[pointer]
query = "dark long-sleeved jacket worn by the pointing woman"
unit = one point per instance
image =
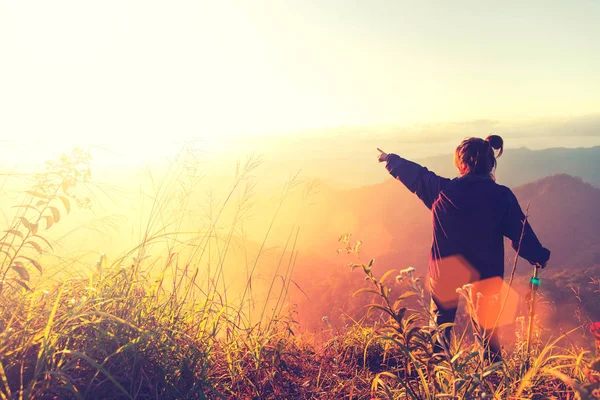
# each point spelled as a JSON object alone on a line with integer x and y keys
{"x": 471, "y": 215}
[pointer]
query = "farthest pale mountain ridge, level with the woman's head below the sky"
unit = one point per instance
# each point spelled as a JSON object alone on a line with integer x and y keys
{"x": 356, "y": 166}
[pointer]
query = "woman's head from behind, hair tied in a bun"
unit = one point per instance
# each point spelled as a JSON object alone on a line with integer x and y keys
{"x": 476, "y": 156}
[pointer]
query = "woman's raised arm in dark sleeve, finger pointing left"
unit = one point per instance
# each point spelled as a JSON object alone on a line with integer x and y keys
{"x": 419, "y": 180}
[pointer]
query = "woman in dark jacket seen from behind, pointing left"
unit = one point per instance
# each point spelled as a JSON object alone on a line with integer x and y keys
{"x": 471, "y": 216}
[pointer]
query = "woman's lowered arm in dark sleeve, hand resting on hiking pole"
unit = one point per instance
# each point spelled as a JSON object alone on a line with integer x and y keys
{"x": 522, "y": 237}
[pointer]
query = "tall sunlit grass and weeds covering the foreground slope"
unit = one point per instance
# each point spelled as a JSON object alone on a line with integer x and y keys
{"x": 154, "y": 322}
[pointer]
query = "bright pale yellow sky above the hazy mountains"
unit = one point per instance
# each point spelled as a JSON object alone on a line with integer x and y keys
{"x": 137, "y": 79}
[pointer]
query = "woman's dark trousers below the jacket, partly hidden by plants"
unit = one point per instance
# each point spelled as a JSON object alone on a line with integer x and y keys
{"x": 446, "y": 312}
